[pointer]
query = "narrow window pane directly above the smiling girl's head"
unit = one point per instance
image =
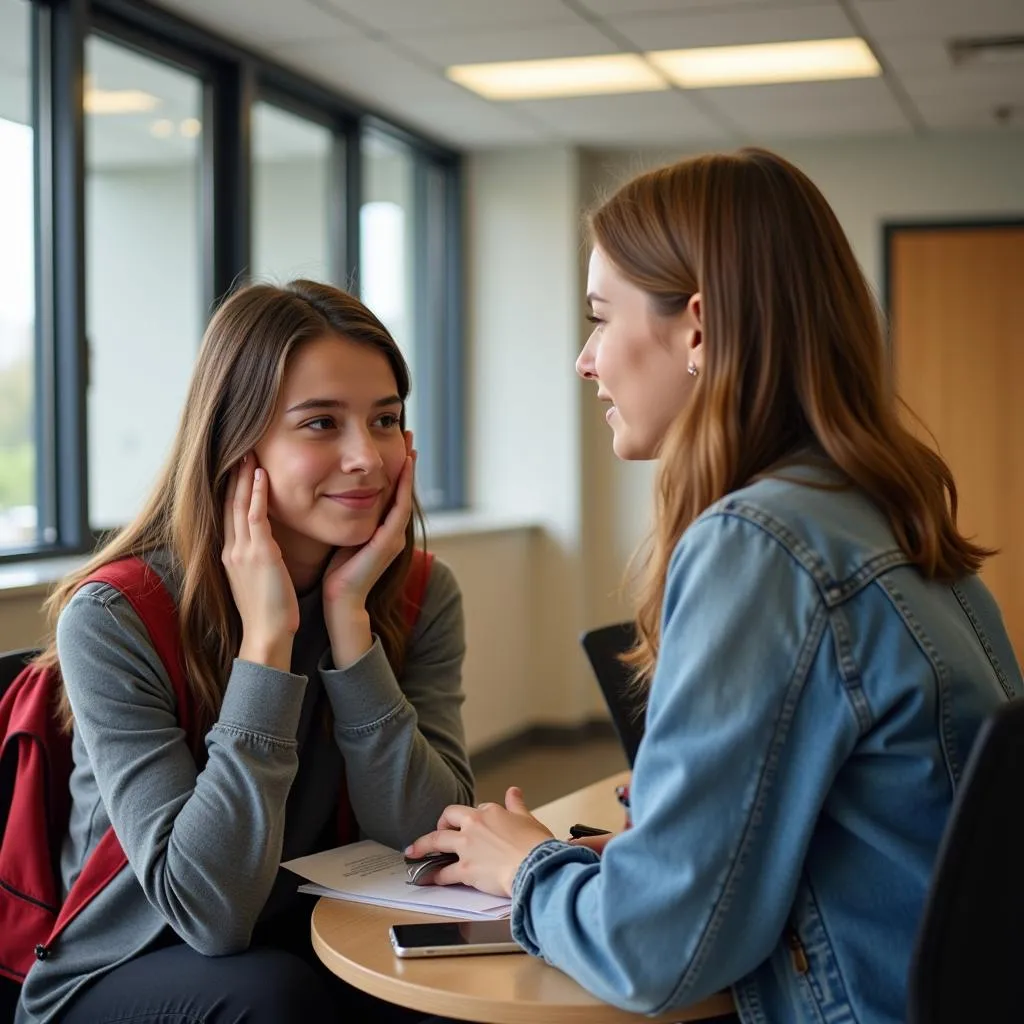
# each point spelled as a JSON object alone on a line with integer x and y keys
{"x": 294, "y": 197}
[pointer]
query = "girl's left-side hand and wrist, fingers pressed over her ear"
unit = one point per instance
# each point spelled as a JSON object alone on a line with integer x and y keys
{"x": 261, "y": 584}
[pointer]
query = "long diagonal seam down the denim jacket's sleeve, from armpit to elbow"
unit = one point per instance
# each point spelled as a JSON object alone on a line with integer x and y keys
{"x": 770, "y": 767}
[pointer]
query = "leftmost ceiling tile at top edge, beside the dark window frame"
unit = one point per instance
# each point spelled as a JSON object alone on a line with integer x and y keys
{"x": 265, "y": 22}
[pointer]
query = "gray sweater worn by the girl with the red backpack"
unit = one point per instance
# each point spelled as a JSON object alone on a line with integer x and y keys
{"x": 204, "y": 848}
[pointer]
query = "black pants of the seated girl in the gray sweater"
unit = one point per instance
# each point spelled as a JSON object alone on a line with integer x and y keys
{"x": 277, "y": 982}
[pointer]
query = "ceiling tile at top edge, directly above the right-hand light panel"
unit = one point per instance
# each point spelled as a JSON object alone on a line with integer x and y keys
{"x": 666, "y": 32}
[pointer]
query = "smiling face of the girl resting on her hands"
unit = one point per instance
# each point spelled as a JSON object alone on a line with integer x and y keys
{"x": 334, "y": 450}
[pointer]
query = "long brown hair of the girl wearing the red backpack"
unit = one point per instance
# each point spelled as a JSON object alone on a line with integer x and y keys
{"x": 231, "y": 404}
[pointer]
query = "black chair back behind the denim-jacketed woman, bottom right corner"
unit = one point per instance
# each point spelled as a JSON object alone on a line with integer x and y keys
{"x": 971, "y": 942}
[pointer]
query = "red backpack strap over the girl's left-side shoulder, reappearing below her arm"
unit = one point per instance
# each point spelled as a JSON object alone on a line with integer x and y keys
{"x": 146, "y": 592}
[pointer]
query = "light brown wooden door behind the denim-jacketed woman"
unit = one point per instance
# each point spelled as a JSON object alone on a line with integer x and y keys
{"x": 957, "y": 298}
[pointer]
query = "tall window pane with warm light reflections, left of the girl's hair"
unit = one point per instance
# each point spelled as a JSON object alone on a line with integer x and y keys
{"x": 144, "y": 267}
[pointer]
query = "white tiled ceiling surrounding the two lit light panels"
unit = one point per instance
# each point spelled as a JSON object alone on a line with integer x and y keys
{"x": 393, "y": 56}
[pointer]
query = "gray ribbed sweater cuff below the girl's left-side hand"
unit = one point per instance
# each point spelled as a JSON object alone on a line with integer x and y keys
{"x": 263, "y": 700}
